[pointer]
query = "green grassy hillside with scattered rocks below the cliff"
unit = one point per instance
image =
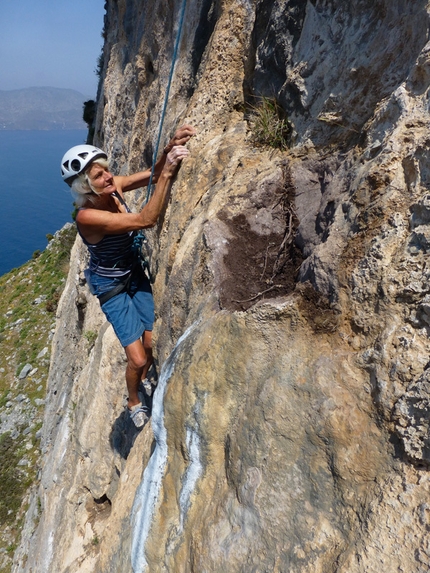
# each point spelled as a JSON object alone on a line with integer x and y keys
{"x": 30, "y": 295}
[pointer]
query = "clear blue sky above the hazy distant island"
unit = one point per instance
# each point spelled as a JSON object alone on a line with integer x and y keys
{"x": 53, "y": 43}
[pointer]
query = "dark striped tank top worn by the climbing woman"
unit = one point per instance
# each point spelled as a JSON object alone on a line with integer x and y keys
{"x": 113, "y": 255}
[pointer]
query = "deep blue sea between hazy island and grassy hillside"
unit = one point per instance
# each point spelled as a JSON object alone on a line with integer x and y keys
{"x": 35, "y": 201}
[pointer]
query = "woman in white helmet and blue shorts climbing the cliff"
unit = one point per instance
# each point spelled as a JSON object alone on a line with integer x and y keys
{"x": 108, "y": 229}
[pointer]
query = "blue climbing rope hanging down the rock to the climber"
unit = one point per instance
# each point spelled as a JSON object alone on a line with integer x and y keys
{"x": 140, "y": 238}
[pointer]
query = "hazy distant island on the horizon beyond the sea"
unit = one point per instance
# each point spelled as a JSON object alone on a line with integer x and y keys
{"x": 41, "y": 108}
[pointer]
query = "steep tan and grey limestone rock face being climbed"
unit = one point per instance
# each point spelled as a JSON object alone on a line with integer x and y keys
{"x": 290, "y": 425}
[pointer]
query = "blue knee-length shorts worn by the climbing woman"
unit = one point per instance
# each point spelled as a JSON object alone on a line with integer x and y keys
{"x": 130, "y": 313}
